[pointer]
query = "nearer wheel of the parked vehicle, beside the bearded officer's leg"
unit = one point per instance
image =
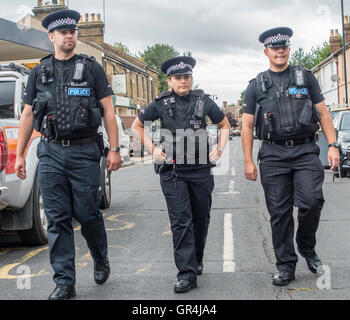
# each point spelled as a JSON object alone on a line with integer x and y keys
{"x": 37, "y": 235}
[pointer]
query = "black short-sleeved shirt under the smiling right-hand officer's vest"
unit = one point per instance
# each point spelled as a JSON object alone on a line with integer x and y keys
{"x": 282, "y": 78}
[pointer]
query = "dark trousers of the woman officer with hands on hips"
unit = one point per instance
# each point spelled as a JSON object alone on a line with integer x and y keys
{"x": 189, "y": 201}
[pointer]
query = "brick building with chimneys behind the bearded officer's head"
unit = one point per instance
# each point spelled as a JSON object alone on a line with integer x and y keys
{"x": 134, "y": 83}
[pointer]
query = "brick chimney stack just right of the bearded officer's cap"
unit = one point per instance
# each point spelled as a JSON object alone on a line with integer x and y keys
{"x": 92, "y": 30}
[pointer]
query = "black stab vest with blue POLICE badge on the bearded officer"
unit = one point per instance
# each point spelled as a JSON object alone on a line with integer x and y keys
{"x": 71, "y": 103}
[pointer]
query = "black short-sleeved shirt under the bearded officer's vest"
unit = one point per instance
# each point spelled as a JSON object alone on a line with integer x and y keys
{"x": 102, "y": 86}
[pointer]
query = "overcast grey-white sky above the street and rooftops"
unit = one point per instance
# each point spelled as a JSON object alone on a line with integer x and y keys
{"x": 221, "y": 34}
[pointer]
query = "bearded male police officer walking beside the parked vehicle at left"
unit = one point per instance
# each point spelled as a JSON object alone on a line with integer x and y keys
{"x": 66, "y": 96}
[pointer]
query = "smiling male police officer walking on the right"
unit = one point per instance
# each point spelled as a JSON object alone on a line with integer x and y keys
{"x": 286, "y": 104}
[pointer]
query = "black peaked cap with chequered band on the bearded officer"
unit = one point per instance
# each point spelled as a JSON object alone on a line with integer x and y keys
{"x": 61, "y": 20}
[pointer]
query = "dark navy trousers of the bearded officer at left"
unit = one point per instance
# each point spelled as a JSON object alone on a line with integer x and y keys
{"x": 69, "y": 181}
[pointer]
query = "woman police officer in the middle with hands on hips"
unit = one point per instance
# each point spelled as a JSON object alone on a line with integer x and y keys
{"x": 184, "y": 163}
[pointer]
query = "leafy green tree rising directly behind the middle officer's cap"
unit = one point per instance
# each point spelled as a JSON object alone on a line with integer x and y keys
{"x": 155, "y": 55}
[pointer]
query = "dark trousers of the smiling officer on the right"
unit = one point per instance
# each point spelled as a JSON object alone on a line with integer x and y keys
{"x": 292, "y": 176}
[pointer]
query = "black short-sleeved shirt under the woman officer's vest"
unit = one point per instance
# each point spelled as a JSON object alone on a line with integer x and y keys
{"x": 153, "y": 111}
